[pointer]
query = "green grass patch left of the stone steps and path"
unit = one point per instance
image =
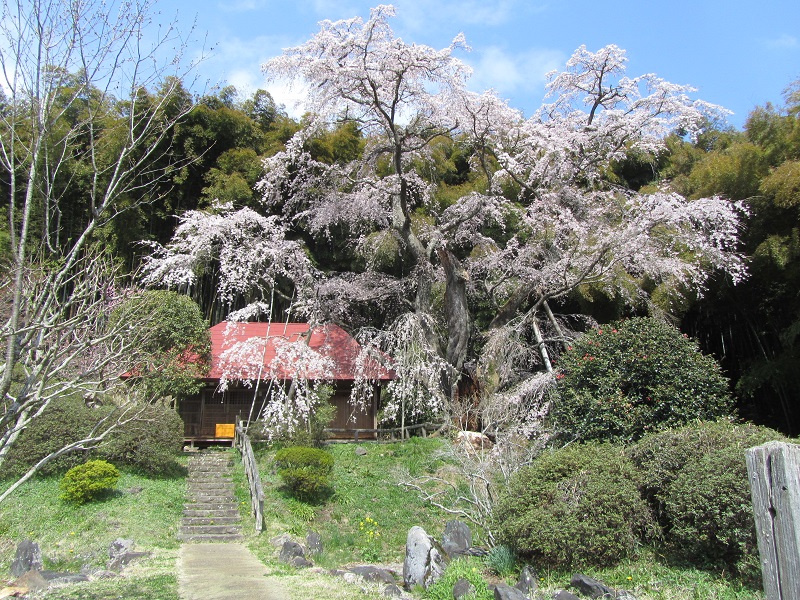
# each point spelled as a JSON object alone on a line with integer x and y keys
{"x": 71, "y": 537}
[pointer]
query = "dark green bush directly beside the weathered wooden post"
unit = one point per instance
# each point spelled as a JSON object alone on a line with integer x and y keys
{"x": 695, "y": 479}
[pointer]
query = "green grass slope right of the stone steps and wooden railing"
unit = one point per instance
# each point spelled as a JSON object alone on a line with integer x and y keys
{"x": 366, "y": 497}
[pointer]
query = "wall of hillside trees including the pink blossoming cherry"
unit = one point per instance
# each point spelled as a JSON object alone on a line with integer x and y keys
{"x": 439, "y": 224}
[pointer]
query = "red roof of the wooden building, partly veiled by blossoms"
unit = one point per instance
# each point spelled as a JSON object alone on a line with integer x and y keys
{"x": 286, "y": 351}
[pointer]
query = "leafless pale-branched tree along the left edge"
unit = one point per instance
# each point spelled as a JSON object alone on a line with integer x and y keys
{"x": 90, "y": 95}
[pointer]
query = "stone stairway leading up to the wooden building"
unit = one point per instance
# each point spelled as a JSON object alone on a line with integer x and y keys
{"x": 210, "y": 513}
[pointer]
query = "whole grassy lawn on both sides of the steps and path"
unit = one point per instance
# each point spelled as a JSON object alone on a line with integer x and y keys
{"x": 366, "y": 496}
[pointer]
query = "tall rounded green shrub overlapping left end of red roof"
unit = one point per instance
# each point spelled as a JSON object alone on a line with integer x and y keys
{"x": 175, "y": 350}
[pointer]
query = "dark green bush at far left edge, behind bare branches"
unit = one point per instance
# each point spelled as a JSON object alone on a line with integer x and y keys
{"x": 66, "y": 420}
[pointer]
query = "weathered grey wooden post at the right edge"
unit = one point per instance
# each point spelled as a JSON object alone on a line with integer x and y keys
{"x": 774, "y": 473}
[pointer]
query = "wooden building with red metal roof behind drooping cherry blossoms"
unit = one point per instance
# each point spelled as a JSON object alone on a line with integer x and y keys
{"x": 261, "y": 353}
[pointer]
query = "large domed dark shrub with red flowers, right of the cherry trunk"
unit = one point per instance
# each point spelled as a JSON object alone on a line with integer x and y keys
{"x": 623, "y": 380}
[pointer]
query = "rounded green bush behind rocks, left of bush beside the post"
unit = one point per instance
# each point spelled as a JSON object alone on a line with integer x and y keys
{"x": 574, "y": 507}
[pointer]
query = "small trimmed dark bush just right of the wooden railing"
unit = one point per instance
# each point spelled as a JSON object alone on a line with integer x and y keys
{"x": 305, "y": 471}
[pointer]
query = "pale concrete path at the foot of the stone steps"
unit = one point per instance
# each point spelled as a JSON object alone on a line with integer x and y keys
{"x": 228, "y": 571}
